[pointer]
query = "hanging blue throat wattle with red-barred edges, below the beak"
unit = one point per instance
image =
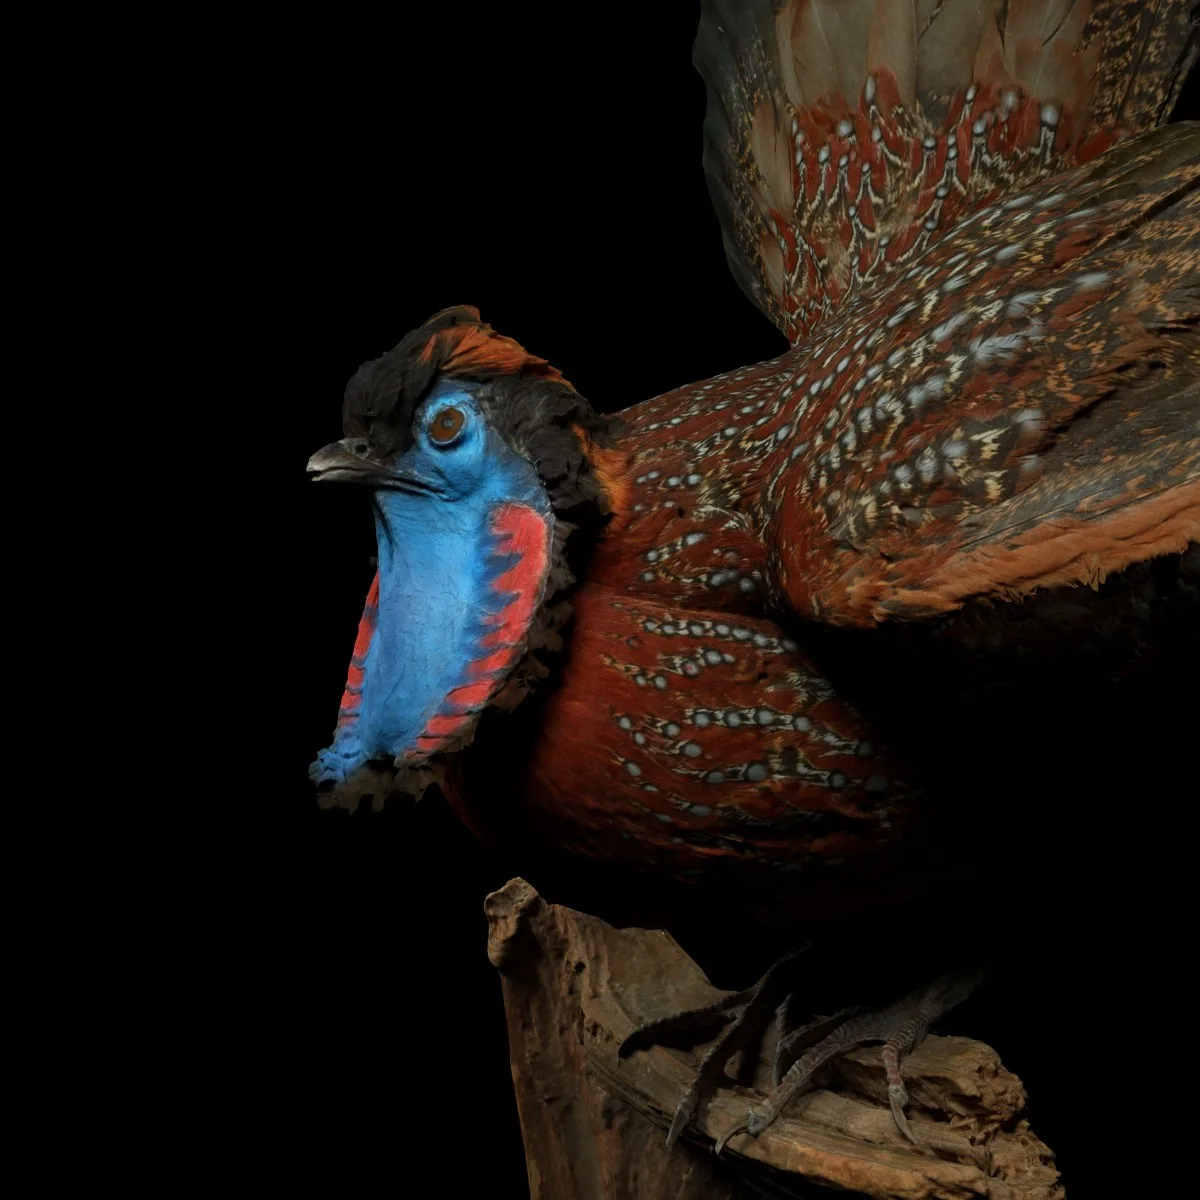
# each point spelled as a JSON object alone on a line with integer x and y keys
{"x": 443, "y": 626}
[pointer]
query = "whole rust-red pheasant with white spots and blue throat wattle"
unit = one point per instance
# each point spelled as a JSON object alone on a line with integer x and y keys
{"x": 795, "y": 639}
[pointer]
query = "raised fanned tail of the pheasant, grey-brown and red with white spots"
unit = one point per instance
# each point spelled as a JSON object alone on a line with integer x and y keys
{"x": 844, "y": 137}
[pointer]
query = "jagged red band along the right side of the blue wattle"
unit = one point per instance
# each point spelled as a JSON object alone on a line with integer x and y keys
{"x": 526, "y": 535}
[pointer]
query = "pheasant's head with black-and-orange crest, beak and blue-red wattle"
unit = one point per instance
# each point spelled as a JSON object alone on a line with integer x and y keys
{"x": 477, "y": 455}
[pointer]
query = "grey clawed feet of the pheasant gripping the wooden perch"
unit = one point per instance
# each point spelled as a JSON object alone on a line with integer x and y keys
{"x": 802, "y": 1048}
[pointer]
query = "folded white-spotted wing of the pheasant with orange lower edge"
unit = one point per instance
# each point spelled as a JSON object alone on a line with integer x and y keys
{"x": 1019, "y": 410}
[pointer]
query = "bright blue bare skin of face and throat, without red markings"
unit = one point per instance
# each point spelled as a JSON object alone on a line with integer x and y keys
{"x": 437, "y": 563}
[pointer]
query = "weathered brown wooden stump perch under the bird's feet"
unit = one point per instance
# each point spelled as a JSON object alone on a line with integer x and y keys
{"x": 595, "y": 1126}
